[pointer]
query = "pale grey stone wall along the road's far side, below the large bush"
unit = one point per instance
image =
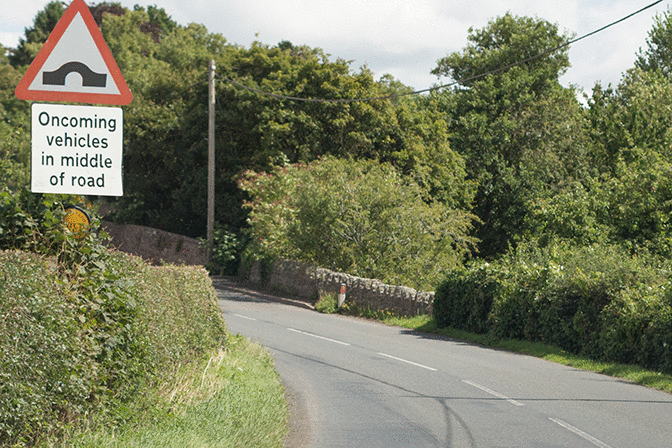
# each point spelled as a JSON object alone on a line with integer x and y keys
{"x": 309, "y": 281}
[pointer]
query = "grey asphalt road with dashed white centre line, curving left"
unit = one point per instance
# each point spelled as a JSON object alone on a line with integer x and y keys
{"x": 356, "y": 383}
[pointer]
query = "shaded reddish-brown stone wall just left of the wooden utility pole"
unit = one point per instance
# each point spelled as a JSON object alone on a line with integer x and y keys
{"x": 155, "y": 245}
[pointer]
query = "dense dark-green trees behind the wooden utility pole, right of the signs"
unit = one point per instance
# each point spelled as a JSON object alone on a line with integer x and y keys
{"x": 166, "y": 125}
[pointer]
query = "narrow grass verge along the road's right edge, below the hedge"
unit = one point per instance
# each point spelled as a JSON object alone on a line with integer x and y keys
{"x": 427, "y": 324}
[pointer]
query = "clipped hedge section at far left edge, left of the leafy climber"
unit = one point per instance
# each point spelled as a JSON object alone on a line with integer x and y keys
{"x": 46, "y": 372}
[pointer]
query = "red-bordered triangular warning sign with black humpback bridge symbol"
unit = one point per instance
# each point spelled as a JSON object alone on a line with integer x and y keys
{"x": 75, "y": 65}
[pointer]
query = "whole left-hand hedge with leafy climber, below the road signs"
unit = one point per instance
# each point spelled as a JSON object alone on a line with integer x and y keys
{"x": 90, "y": 325}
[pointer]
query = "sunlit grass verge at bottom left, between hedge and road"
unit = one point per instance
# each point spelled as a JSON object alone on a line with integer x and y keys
{"x": 233, "y": 398}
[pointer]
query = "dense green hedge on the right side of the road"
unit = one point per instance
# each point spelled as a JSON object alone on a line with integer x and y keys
{"x": 597, "y": 301}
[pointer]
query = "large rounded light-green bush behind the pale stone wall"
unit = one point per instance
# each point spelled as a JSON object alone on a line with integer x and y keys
{"x": 359, "y": 217}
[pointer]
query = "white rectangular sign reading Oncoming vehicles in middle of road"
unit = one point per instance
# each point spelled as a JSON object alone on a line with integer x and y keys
{"x": 77, "y": 149}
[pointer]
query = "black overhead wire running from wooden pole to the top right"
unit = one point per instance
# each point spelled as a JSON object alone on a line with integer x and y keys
{"x": 442, "y": 86}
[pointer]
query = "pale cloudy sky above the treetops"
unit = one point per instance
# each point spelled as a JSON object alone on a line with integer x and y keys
{"x": 404, "y": 38}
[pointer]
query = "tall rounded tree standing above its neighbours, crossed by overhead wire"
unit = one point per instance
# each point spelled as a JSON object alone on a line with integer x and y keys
{"x": 522, "y": 134}
